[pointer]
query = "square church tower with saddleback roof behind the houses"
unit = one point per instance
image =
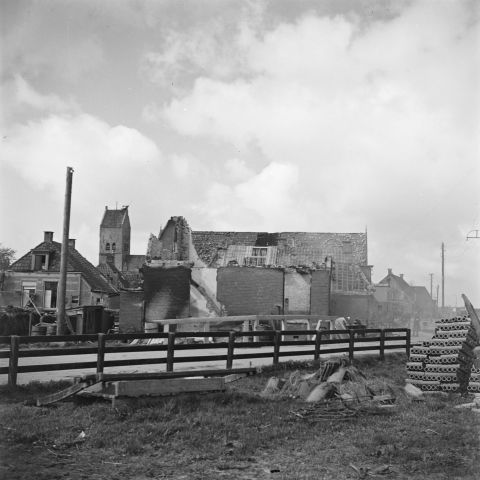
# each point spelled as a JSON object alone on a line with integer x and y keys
{"x": 115, "y": 238}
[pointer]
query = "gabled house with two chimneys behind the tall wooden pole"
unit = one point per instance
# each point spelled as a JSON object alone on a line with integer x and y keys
{"x": 32, "y": 281}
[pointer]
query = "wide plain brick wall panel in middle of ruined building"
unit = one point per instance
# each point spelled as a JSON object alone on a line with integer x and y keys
{"x": 249, "y": 290}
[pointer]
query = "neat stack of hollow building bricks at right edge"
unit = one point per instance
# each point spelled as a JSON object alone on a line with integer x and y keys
{"x": 444, "y": 363}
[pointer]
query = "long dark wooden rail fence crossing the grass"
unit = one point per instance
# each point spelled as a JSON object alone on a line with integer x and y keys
{"x": 229, "y": 349}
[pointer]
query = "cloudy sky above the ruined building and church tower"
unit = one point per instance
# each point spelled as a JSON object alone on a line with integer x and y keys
{"x": 327, "y": 115}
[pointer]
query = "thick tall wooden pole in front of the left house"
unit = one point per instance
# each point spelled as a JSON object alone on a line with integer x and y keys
{"x": 62, "y": 287}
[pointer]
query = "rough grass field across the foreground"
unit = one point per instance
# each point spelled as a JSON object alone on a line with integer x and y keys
{"x": 237, "y": 435}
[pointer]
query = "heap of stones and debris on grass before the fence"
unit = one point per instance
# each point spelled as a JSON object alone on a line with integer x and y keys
{"x": 336, "y": 390}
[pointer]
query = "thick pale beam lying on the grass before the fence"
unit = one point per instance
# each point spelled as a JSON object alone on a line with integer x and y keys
{"x": 138, "y": 388}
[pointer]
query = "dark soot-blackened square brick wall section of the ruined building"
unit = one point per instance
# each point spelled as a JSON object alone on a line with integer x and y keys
{"x": 167, "y": 292}
